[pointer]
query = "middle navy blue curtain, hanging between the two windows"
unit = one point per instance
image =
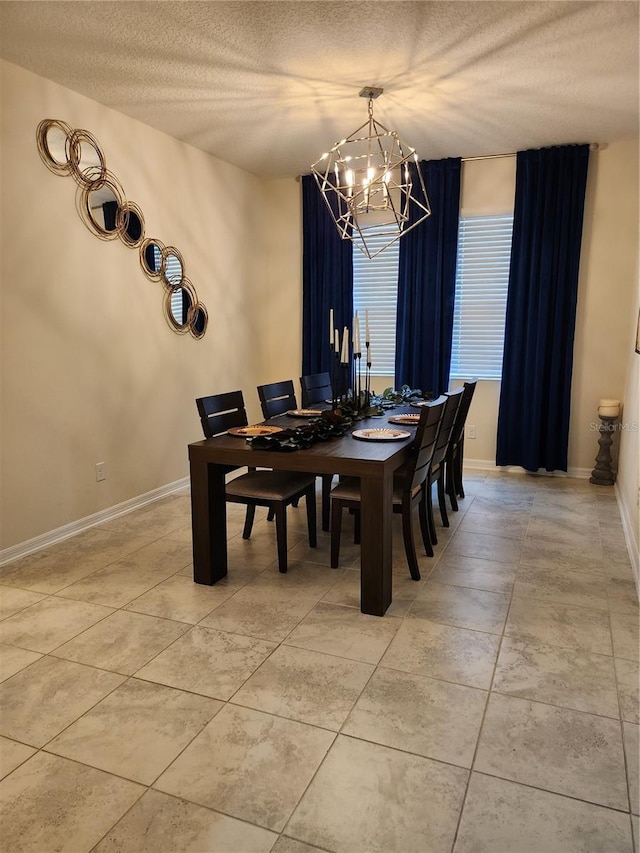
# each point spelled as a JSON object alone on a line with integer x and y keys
{"x": 426, "y": 283}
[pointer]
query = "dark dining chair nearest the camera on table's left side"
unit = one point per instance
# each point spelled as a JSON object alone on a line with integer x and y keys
{"x": 275, "y": 490}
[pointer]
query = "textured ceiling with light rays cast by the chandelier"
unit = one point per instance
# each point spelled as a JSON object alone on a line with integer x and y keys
{"x": 270, "y": 85}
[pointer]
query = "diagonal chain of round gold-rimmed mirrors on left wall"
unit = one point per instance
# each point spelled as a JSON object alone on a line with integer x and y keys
{"x": 105, "y": 210}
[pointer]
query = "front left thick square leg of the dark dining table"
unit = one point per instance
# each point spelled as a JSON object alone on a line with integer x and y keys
{"x": 208, "y": 522}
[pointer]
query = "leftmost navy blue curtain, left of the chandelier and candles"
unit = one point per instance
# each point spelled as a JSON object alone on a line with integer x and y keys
{"x": 327, "y": 279}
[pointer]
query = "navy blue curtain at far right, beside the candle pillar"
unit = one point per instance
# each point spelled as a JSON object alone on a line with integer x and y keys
{"x": 533, "y": 419}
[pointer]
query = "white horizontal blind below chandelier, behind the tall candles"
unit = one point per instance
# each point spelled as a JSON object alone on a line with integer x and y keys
{"x": 375, "y": 289}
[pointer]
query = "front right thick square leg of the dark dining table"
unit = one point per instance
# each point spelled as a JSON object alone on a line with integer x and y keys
{"x": 375, "y": 545}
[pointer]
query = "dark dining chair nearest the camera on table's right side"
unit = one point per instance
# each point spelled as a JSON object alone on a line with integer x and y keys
{"x": 408, "y": 490}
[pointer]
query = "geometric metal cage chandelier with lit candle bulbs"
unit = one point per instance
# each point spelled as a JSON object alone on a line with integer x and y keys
{"x": 372, "y": 185}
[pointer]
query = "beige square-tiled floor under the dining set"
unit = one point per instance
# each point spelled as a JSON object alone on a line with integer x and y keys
{"x": 494, "y": 708}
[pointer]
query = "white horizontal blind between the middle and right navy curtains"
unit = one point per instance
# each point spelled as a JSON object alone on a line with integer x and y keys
{"x": 482, "y": 279}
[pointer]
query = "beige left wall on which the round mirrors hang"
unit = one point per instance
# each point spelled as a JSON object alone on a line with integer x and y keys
{"x": 90, "y": 371}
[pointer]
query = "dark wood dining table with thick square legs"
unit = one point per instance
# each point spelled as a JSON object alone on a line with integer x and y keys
{"x": 372, "y": 461}
